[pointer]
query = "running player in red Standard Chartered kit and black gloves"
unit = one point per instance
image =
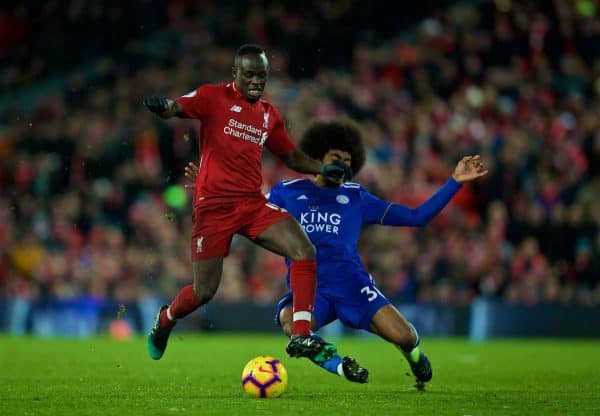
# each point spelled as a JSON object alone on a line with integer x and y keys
{"x": 235, "y": 126}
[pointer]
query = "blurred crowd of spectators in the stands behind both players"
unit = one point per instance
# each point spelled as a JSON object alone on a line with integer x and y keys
{"x": 92, "y": 201}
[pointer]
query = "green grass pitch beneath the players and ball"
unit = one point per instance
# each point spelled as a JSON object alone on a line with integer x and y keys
{"x": 200, "y": 375}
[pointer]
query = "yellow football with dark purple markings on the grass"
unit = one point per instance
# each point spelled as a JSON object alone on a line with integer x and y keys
{"x": 264, "y": 377}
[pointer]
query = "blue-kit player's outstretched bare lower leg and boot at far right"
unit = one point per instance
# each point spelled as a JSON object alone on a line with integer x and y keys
{"x": 389, "y": 324}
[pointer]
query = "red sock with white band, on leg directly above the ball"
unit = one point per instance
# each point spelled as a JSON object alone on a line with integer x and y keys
{"x": 303, "y": 282}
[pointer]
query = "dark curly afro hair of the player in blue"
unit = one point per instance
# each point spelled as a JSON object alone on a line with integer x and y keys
{"x": 342, "y": 134}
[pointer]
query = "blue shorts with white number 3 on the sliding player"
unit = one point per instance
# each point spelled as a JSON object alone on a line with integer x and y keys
{"x": 354, "y": 303}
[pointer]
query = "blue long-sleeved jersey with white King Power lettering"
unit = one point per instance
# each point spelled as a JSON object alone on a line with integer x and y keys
{"x": 333, "y": 219}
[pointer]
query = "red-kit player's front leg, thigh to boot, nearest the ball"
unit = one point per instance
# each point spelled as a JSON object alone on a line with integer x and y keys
{"x": 288, "y": 239}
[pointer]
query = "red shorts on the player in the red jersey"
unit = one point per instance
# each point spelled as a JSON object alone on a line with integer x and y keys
{"x": 215, "y": 223}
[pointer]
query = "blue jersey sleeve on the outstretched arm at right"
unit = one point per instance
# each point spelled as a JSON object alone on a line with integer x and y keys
{"x": 399, "y": 215}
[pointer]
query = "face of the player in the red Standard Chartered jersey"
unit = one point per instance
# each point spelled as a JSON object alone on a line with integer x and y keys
{"x": 251, "y": 74}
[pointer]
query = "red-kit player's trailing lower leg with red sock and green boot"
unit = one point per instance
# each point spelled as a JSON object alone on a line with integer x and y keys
{"x": 207, "y": 276}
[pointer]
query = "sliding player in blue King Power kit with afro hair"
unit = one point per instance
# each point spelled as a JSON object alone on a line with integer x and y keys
{"x": 332, "y": 212}
